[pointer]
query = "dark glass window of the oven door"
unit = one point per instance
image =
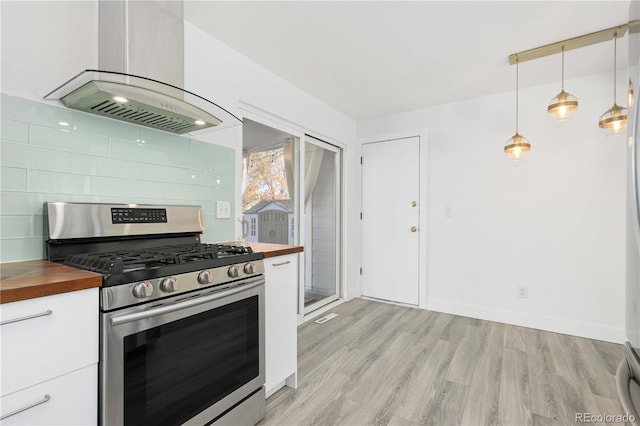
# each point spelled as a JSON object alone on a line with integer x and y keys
{"x": 174, "y": 371}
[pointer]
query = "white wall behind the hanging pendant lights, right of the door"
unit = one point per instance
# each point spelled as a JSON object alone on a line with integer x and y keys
{"x": 553, "y": 223}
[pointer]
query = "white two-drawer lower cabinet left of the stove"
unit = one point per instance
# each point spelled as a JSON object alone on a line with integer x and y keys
{"x": 50, "y": 347}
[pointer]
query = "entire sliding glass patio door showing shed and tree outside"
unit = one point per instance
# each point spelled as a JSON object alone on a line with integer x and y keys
{"x": 291, "y": 195}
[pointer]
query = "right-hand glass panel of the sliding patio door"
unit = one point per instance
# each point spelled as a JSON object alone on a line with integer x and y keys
{"x": 322, "y": 200}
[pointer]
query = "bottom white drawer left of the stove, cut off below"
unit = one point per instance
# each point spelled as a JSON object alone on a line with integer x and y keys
{"x": 72, "y": 400}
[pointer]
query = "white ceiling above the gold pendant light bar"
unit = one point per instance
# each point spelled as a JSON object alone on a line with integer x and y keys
{"x": 368, "y": 59}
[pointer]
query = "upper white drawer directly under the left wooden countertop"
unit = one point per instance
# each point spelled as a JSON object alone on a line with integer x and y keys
{"x": 49, "y": 336}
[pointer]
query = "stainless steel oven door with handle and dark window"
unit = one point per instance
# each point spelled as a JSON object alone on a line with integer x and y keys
{"x": 186, "y": 359}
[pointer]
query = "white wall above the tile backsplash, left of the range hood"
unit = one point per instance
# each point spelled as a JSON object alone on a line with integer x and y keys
{"x": 44, "y": 44}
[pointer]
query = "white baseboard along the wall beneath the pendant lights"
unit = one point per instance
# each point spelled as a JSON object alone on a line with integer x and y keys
{"x": 559, "y": 325}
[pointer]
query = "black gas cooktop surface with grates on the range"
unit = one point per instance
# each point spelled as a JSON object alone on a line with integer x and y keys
{"x": 126, "y": 266}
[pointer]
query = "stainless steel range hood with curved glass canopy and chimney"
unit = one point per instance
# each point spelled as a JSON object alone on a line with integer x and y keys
{"x": 141, "y": 56}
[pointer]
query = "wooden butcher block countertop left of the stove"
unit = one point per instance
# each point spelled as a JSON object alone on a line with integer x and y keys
{"x": 37, "y": 278}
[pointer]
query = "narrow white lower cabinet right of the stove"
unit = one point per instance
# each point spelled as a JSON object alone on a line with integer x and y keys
{"x": 281, "y": 340}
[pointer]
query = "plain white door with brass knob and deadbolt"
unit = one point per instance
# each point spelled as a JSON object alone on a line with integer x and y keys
{"x": 390, "y": 218}
